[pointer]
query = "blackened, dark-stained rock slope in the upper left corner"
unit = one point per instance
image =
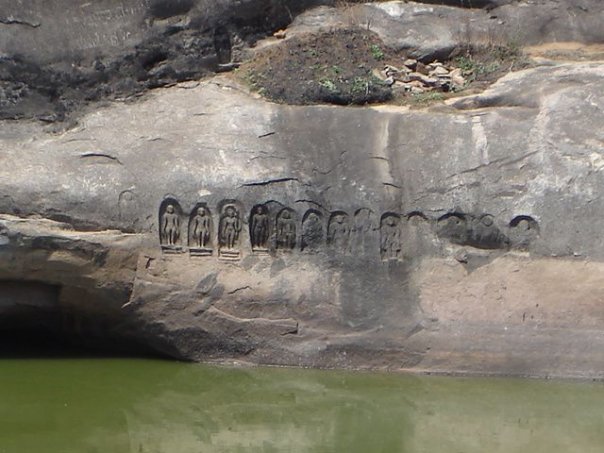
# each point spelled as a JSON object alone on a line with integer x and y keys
{"x": 58, "y": 55}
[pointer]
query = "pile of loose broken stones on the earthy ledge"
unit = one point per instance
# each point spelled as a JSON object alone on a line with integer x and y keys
{"x": 416, "y": 77}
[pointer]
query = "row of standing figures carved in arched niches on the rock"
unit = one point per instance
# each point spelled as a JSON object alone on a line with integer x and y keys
{"x": 281, "y": 230}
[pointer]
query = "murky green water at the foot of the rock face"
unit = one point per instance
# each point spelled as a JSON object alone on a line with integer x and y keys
{"x": 140, "y": 405}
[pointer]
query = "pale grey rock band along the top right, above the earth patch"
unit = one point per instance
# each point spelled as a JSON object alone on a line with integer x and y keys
{"x": 430, "y": 31}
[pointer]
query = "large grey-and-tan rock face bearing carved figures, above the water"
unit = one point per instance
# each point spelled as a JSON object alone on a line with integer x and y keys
{"x": 206, "y": 223}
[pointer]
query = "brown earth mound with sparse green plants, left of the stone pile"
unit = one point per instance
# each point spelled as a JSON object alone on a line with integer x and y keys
{"x": 334, "y": 67}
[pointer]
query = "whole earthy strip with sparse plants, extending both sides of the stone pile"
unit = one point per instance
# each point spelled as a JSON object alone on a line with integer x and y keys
{"x": 352, "y": 66}
